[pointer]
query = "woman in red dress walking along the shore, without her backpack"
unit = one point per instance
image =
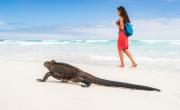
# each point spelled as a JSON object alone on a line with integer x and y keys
{"x": 122, "y": 42}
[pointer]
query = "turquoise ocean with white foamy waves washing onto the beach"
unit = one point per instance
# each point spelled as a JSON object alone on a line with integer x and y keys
{"x": 150, "y": 55}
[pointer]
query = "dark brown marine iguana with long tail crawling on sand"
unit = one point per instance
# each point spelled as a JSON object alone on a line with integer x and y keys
{"x": 66, "y": 72}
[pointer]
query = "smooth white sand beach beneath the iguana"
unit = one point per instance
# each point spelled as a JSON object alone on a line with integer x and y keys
{"x": 20, "y": 91}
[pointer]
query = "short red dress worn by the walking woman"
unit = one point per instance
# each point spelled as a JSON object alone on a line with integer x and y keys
{"x": 122, "y": 42}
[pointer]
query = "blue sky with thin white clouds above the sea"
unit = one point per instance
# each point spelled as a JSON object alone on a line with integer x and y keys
{"x": 87, "y": 19}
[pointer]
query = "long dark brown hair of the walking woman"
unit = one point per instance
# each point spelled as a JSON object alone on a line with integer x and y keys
{"x": 123, "y": 14}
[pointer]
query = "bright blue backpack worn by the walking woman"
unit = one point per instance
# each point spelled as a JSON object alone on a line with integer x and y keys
{"x": 129, "y": 29}
